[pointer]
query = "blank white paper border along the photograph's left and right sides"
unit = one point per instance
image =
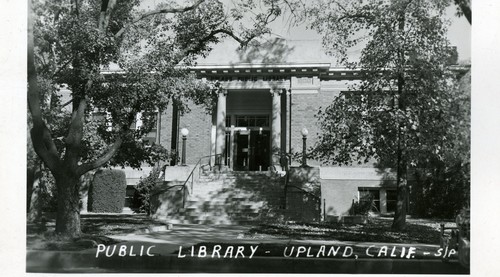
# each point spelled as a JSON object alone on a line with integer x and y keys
{"x": 485, "y": 135}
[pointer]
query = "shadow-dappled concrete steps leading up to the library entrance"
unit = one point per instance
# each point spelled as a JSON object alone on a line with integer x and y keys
{"x": 228, "y": 198}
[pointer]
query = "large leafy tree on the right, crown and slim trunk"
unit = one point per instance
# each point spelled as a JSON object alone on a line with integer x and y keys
{"x": 403, "y": 112}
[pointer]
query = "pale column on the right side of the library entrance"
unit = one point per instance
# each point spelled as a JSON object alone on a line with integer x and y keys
{"x": 276, "y": 126}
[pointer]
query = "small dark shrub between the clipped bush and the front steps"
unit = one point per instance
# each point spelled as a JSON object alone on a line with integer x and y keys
{"x": 142, "y": 193}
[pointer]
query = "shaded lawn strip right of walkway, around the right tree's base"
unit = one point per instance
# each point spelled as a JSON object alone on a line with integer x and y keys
{"x": 377, "y": 230}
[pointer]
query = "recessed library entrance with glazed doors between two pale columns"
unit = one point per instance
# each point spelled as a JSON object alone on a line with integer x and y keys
{"x": 248, "y": 128}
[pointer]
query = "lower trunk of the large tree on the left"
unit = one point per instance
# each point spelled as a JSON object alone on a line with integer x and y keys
{"x": 68, "y": 206}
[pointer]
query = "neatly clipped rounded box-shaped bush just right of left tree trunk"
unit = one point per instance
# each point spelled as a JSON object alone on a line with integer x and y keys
{"x": 107, "y": 191}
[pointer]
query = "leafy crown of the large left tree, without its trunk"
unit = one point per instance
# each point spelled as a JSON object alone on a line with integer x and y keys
{"x": 153, "y": 49}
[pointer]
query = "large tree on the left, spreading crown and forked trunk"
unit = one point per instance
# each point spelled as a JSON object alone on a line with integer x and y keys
{"x": 70, "y": 45}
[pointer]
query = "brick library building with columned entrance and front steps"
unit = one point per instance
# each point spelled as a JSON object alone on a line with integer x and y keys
{"x": 265, "y": 114}
